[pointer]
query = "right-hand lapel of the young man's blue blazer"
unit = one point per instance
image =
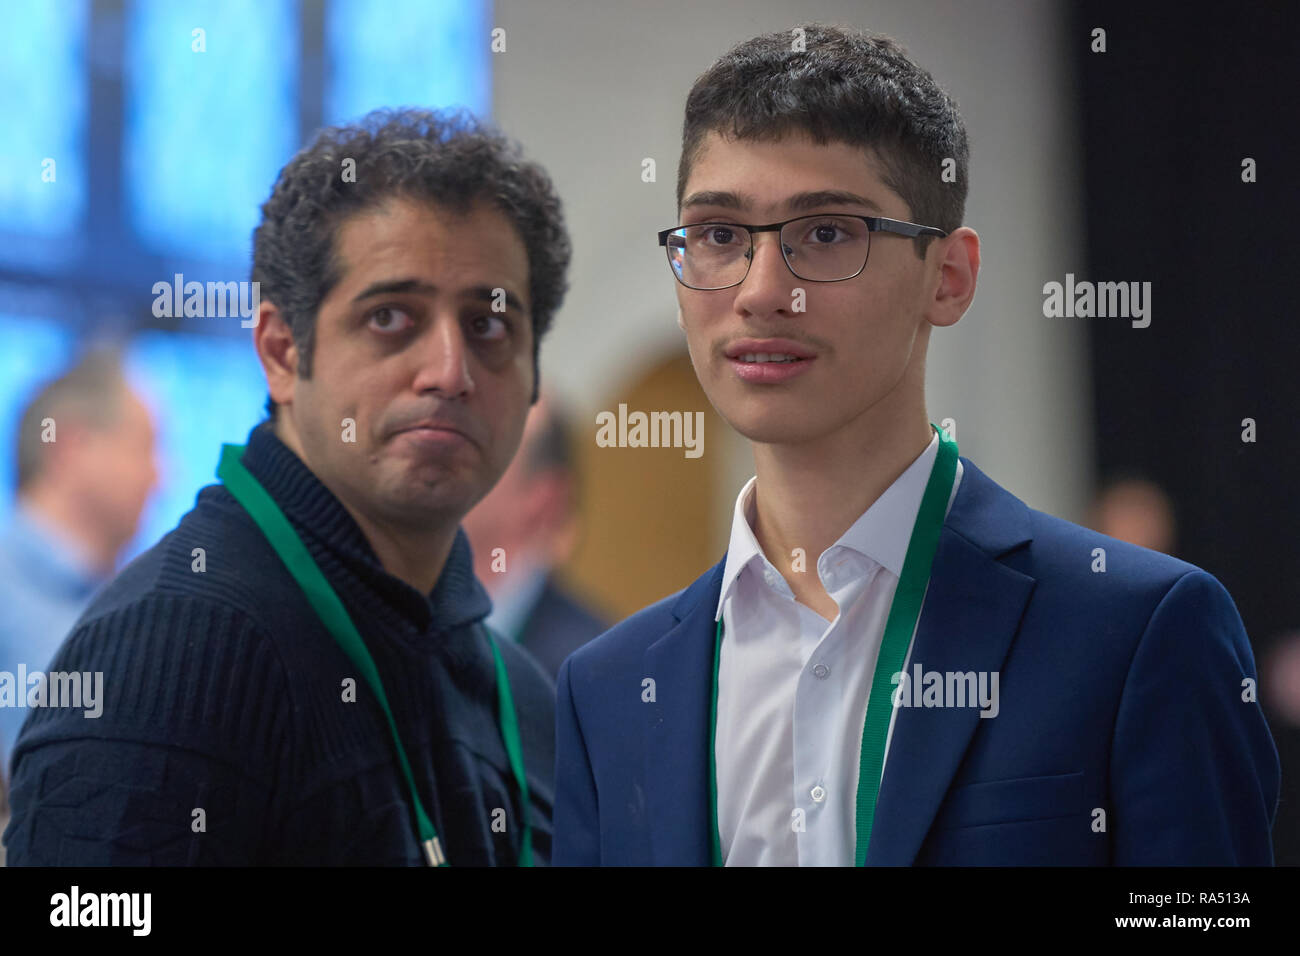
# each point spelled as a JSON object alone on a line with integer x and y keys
{"x": 968, "y": 624}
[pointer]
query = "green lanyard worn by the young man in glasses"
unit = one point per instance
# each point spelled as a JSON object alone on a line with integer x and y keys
{"x": 894, "y": 651}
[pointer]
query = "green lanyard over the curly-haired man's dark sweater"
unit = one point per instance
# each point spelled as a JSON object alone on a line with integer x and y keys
{"x": 324, "y": 600}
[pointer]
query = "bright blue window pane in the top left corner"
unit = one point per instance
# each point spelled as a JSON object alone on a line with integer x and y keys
{"x": 44, "y": 101}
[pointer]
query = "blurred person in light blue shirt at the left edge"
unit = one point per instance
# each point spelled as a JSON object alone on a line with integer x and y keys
{"x": 86, "y": 468}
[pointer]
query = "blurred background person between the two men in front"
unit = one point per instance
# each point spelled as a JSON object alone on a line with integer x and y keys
{"x": 531, "y": 516}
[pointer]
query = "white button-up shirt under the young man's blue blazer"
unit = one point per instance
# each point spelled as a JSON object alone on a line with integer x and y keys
{"x": 792, "y": 689}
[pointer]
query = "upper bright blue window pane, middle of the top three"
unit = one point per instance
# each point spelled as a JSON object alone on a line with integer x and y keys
{"x": 206, "y": 133}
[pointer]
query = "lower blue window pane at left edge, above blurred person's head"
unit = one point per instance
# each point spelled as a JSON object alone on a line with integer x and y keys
{"x": 36, "y": 351}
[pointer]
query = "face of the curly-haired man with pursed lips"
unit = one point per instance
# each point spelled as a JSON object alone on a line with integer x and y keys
{"x": 409, "y": 336}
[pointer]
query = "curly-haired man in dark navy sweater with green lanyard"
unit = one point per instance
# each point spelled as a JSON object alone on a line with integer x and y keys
{"x": 298, "y": 673}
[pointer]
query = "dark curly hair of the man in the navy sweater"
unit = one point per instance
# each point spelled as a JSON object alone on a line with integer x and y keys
{"x": 447, "y": 158}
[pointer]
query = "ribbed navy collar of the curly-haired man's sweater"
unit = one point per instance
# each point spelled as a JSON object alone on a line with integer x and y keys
{"x": 335, "y": 538}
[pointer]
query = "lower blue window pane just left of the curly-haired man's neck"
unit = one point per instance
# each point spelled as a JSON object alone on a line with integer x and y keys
{"x": 203, "y": 392}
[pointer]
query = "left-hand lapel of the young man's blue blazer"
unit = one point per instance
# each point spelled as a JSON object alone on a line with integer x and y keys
{"x": 677, "y": 730}
